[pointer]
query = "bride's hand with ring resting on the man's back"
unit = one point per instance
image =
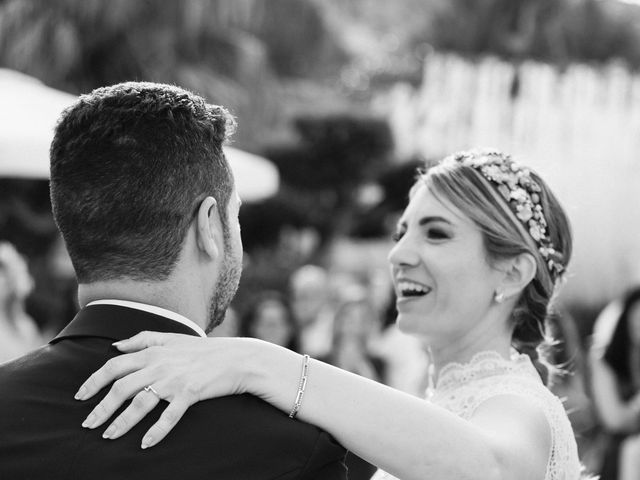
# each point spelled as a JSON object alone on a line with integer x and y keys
{"x": 163, "y": 366}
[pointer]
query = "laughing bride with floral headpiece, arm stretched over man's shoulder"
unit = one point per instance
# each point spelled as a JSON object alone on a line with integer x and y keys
{"x": 480, "y": 250}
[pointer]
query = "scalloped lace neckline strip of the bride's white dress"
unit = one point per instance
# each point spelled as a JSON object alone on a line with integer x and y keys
{"x": 481, "y": 365}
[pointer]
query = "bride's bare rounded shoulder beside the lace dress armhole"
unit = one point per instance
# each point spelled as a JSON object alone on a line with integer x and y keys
{"x": 519, "y": 433}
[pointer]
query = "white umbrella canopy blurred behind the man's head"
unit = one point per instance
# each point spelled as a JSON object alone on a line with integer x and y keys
{"x": 28, "y": 113}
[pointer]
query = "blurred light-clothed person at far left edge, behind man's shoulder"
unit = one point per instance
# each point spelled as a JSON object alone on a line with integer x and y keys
{"x": 18, "y": 331}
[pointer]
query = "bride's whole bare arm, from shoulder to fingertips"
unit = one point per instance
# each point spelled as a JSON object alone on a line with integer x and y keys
{"x": 406, "y": 436}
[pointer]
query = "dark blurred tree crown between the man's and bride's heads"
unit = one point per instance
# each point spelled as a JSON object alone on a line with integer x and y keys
{"x": 322, "y": 172}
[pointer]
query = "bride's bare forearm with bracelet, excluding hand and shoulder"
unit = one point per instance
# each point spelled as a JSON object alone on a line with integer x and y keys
{"x": 399, "y": 433}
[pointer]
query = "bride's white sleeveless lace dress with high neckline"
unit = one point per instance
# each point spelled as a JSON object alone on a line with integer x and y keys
{"x": 462, "y": 388}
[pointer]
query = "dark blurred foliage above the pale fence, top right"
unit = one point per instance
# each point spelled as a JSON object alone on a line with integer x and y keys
{"x": 557, "y": 31}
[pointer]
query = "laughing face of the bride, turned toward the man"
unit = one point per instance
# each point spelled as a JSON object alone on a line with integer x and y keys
{"x": 442, "y": 276}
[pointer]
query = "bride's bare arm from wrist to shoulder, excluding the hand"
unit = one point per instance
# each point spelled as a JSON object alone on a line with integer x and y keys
{"x": 402, "y": 434}
